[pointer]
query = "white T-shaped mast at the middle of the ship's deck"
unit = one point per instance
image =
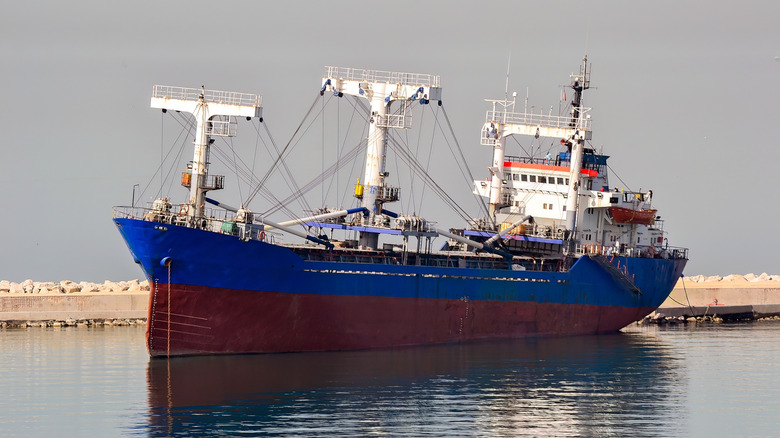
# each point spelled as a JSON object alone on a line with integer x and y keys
{"x": 381, "y": 88}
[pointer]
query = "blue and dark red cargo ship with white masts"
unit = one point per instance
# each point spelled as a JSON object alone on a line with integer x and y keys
{"x": 556, "y": 249}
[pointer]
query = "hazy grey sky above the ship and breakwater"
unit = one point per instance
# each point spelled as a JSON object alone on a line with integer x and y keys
{"x": 686, "y": 103}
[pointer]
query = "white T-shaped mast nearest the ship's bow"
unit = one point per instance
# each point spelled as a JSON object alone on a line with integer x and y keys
{"x": 215, "y": 113}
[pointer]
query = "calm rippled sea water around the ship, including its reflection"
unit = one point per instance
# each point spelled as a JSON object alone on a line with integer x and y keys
{"x": 705, "y": 380}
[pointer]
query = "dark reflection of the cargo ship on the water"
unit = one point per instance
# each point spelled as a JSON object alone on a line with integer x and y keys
{"x": 623, "y": 384}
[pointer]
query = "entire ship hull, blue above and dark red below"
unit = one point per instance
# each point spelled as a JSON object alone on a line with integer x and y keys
{"x": 218, "y": 285}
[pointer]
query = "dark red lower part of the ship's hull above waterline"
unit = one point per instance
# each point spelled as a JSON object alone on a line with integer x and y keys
{"x": 236, "y": 321}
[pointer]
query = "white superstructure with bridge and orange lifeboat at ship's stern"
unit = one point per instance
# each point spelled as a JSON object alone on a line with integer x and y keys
{"x": 568, "y": 192}
